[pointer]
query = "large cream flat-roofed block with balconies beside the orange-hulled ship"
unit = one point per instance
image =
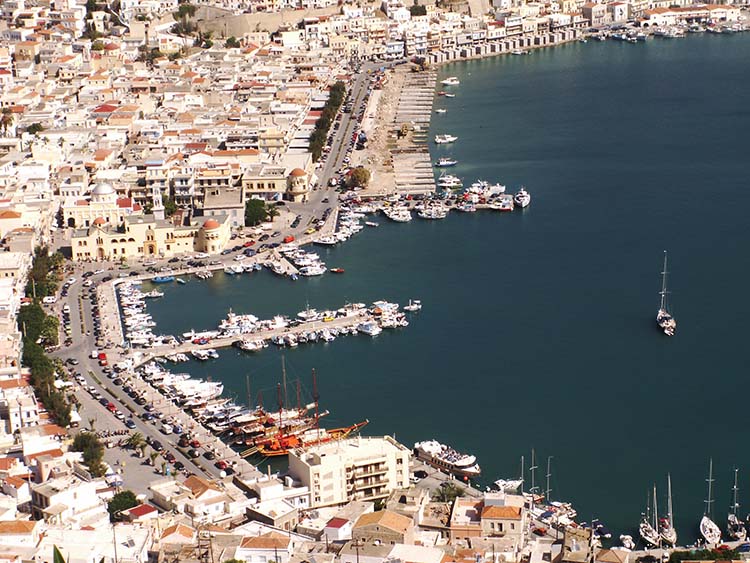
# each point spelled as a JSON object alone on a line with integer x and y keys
{"x": 355, "y": 469}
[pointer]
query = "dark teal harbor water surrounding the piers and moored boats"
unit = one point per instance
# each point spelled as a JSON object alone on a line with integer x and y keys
{"x": 538, "y": 327}
